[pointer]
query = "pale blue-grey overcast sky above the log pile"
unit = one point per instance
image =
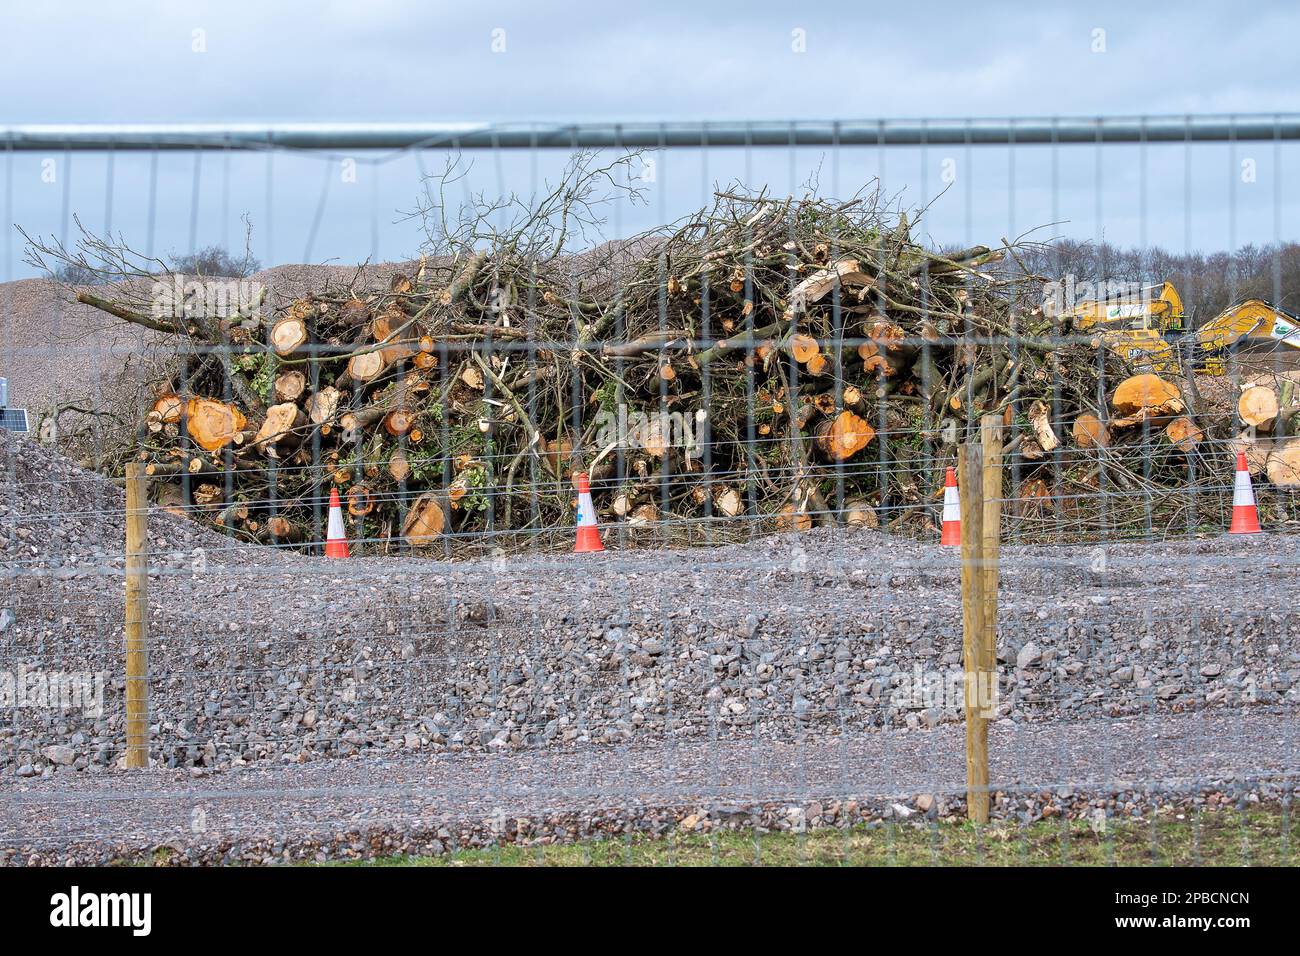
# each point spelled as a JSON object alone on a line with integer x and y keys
{"x": 531, "y": 62}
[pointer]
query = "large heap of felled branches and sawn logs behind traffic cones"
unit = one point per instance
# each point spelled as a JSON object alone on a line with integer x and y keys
{"x": 766, "y": 364}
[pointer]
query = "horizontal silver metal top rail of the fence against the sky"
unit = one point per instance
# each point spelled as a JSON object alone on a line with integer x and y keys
{"x": 398, "y": 136}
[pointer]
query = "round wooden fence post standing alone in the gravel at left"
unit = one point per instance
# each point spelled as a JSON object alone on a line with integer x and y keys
{"x": 137, "y": 617}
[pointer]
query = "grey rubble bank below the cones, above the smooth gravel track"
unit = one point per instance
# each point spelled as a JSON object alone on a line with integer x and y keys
{"x": 263, "y": 656}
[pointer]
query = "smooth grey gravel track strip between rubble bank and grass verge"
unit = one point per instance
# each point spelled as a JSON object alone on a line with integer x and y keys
{"x": 437, "y": 803}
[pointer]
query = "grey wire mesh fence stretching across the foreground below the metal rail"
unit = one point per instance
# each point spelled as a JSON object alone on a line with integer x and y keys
{"x": 766, "y": 661}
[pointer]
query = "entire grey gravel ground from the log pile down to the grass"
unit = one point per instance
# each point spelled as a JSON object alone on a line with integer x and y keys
{"x": 397, "y": 704}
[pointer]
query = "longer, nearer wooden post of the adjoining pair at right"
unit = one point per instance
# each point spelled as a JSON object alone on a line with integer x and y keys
{"x": 972, "y": 483}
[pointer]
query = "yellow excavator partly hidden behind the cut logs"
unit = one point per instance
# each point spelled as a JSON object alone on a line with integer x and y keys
{"x": 1147, "y": 330}
